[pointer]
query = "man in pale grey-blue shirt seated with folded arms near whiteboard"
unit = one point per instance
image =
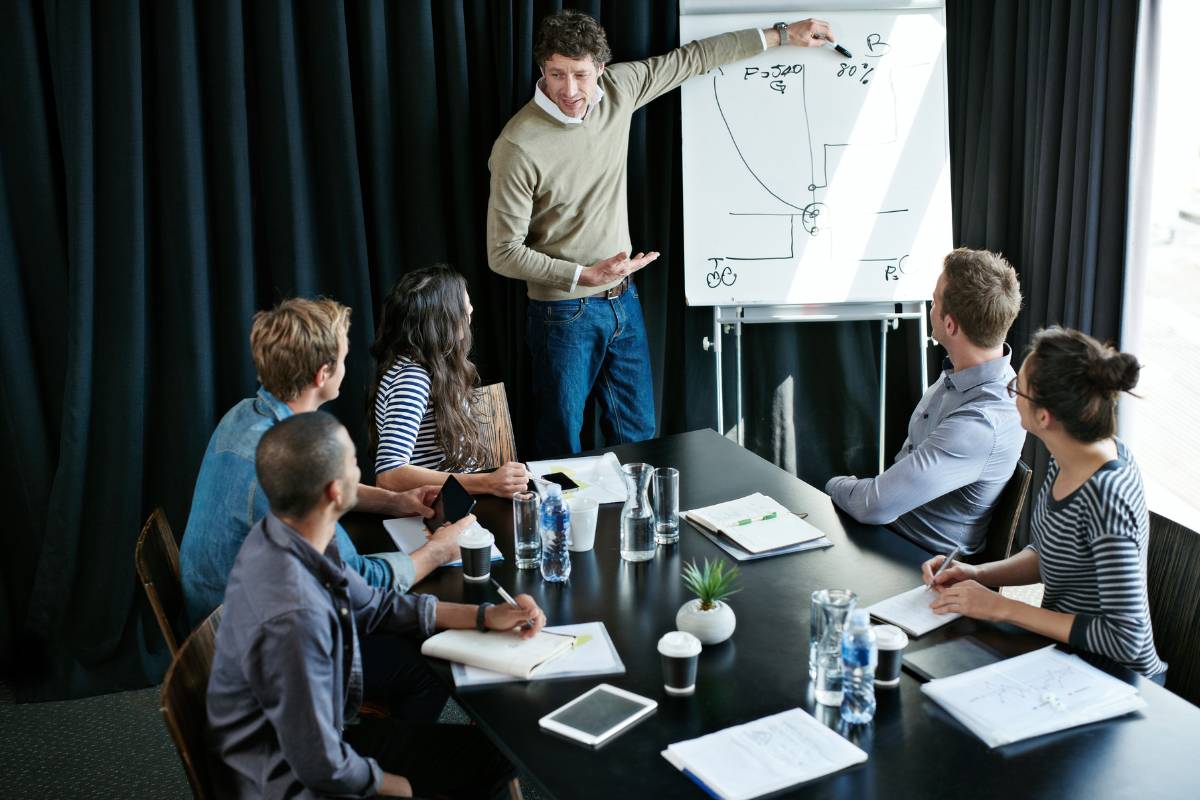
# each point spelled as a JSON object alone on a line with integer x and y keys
{"x": 965, "y": 437}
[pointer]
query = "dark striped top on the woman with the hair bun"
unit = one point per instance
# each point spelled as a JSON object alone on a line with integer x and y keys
{"x": 1091, "y": 552}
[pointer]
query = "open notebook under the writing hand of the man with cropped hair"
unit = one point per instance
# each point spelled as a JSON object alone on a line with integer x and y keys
{"x": 500, "y": 652}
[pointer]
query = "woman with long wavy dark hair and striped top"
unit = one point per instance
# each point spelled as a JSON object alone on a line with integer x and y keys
{"x": 422, "y": 410}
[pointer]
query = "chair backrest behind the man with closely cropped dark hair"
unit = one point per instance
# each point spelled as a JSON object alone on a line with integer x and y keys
{"x": 183, "y": 705}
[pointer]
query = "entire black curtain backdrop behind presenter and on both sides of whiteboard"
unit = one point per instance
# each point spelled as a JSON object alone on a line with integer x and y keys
{"x": 166, "y": 170}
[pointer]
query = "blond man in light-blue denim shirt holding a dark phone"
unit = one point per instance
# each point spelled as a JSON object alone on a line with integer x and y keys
{"x": 299, "y": 351}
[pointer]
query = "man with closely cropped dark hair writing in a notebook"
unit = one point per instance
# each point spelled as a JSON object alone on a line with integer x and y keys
{"x": 287, "y": 675}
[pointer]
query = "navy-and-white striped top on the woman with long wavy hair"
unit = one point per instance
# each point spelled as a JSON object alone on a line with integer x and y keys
{"x": 406, "y": 420}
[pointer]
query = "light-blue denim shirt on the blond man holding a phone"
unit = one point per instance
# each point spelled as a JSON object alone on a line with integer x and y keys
{"x": 229, "y": 501}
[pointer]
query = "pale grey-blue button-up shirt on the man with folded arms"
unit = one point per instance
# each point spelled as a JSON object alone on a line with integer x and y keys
{"x": 964, "y": 441}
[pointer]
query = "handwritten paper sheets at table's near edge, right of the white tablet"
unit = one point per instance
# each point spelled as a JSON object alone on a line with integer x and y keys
{"x": 765, "y": 756}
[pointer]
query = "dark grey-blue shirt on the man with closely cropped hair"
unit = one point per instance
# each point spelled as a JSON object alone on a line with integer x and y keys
{"x": 287, "y": 675}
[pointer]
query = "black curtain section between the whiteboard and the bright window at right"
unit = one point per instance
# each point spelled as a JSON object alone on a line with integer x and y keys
{"x": 1041, "y": 101}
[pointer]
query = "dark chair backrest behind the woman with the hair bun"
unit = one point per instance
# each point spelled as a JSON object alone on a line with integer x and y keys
{"x": 1172, "y": 570}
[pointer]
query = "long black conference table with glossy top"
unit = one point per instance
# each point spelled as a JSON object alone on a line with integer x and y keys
{"x": 916, "y": 750}
